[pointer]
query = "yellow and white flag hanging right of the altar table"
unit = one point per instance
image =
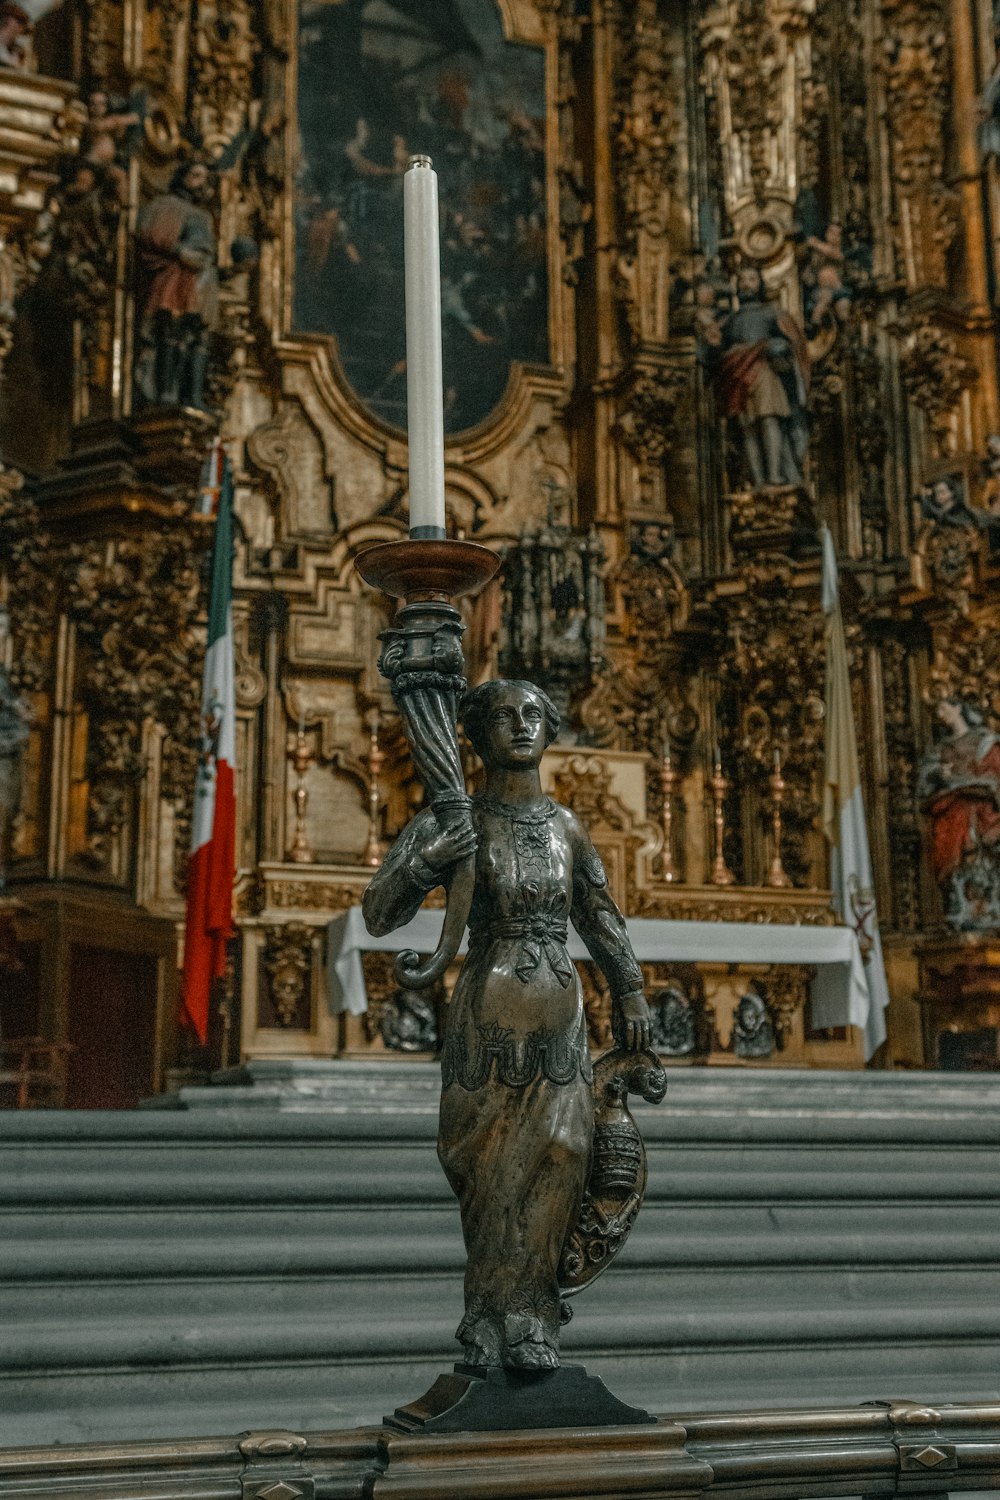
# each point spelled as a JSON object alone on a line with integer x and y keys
{"x": 852, "y": 878}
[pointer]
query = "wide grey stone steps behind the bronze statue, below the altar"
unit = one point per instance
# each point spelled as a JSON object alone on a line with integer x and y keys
{"x": 284, "y": 1252}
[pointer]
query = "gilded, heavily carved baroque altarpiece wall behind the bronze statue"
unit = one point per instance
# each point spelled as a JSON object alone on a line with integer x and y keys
{"x": 713, "y": 275}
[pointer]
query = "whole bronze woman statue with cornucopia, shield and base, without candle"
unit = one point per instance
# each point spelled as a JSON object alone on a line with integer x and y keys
{"x": 537, "y": 1144}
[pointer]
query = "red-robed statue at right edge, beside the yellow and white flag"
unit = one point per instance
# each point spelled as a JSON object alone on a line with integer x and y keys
{"x": 960, "y": 788}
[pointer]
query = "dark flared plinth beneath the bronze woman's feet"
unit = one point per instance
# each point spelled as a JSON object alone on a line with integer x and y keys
{"x": 515, "y": 1400}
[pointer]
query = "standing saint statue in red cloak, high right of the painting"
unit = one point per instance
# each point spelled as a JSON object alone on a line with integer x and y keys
{"x": 762, "y": 373}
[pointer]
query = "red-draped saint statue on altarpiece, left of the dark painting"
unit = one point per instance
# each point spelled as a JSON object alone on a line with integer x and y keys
{"x": 179, "y": 301}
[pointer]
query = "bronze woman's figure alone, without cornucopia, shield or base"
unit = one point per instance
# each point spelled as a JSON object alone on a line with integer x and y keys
{"x": 518, "y": 1108}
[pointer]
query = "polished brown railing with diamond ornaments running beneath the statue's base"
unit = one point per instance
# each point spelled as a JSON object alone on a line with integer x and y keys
{"x": 893, "y": 1448}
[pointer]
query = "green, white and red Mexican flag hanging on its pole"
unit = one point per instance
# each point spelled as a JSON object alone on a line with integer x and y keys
{"x": 212, "y": 863}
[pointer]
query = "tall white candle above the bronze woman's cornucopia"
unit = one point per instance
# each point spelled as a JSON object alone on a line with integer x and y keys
{"x": 425, "y": 397}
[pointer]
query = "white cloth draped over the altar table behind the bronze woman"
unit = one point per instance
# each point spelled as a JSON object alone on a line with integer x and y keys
{"x": 840, "y": 989}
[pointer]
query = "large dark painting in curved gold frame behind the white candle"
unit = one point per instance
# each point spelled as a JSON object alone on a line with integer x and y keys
{"x": 380, "y": 80}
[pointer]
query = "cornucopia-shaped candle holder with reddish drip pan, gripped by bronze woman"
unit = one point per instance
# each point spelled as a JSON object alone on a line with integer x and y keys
{"x": 422, "y": 659}
